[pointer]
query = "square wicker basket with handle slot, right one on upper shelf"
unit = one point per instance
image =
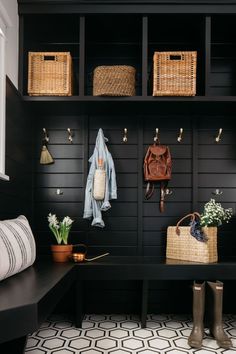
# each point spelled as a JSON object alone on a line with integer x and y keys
{"x": 174, "y": 73}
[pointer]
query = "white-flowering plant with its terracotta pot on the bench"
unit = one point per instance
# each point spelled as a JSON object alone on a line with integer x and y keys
{"x": 60, "y": 229}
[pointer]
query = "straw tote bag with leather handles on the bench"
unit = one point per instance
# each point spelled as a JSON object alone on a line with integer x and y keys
{"x": 185, "y": 247}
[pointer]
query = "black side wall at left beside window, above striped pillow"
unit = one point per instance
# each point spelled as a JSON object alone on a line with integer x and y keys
{"x": 16, "y": 194}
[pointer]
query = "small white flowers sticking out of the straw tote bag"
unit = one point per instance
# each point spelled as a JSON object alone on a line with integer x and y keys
{"x": 214, "y": 214}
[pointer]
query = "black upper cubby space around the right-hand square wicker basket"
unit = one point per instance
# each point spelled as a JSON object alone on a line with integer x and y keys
{"x": 177, "y": 33}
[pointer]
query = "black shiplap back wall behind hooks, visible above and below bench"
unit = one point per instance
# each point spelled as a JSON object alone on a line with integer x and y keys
{"x": 135, "y": 226}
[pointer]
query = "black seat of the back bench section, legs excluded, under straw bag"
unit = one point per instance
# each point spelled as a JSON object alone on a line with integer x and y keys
{"x": 153, "y": 268}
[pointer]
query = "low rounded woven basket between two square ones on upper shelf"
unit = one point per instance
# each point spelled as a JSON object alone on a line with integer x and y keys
{"x": 115, "y": 80}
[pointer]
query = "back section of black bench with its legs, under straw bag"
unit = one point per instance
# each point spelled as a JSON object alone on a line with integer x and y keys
{"x": 146, "y": 269}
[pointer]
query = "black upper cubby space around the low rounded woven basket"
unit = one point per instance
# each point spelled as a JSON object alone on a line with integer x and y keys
{"x": 112, "y": 40}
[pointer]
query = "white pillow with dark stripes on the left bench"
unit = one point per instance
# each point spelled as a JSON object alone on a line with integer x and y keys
{"x": 17, "y": 246}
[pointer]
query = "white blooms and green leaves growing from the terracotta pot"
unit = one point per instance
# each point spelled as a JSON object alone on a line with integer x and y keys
{"x": 60, "y": 229}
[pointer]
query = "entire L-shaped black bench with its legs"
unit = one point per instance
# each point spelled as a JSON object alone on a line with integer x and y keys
{"x": 28, "y": 298}
